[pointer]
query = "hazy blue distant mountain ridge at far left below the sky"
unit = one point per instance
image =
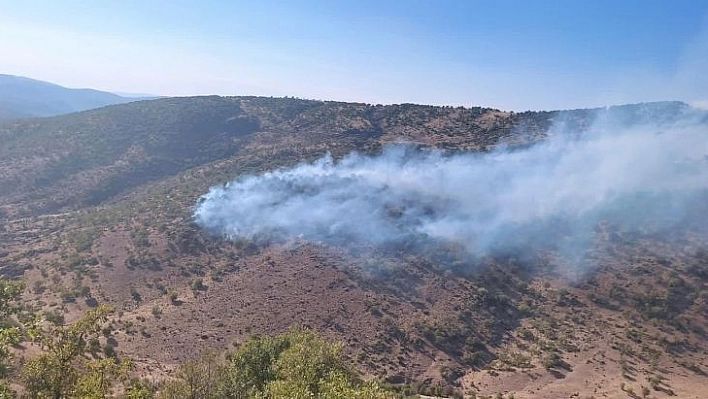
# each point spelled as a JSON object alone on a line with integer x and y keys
{"x": 22, "y": 97}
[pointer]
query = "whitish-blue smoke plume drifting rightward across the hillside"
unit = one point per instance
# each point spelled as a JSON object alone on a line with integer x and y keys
{"x": 637, "y": 177}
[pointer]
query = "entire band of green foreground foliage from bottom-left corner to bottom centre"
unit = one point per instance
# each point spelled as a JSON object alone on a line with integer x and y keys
{"x": 295, "y": 365}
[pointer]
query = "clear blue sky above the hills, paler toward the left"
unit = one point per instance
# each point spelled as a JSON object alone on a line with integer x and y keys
{"x": 513, "y": 55}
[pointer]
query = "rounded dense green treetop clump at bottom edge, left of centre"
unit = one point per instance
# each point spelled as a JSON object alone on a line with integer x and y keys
{"x": 290, "y": 366}
